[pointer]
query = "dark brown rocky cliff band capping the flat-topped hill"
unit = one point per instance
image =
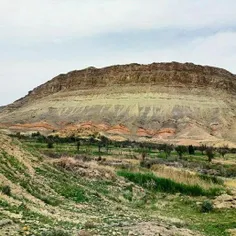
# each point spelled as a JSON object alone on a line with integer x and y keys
{"x": 167, "y": 74}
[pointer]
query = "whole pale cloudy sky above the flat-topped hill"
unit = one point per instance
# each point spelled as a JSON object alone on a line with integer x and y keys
{"x": 40, "y": 39}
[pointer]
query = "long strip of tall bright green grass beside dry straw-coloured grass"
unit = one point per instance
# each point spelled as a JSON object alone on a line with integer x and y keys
{"x": 154, "y": 183}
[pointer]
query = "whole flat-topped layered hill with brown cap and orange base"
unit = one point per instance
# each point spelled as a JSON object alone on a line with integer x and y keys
{"x": 159, "y": 102}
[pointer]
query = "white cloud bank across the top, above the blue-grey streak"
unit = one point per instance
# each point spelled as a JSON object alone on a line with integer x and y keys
{"x": 51, "y": 19}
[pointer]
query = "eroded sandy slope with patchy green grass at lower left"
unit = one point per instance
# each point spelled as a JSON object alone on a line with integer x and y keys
{"x": 46, "y": 195}
